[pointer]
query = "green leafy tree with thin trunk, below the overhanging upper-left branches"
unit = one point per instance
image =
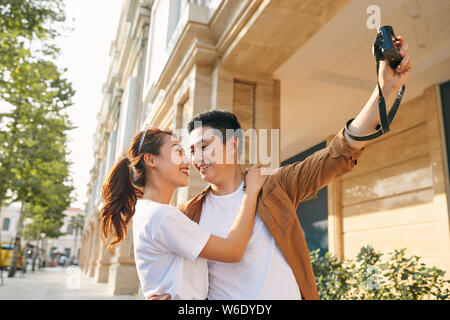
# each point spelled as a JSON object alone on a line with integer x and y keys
{"x": 37, "y": 152}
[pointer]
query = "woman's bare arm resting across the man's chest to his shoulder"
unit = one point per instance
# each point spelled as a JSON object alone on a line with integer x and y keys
{"x": 232, "y": 248}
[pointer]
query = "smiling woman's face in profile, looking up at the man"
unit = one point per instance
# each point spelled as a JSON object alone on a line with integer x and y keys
{"x": 172, "y": 165}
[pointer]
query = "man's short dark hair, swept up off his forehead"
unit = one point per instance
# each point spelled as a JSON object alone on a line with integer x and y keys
{"x": 220, "y": 120}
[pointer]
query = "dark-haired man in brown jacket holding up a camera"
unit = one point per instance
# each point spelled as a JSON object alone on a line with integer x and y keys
{"x": 276, "y": 262}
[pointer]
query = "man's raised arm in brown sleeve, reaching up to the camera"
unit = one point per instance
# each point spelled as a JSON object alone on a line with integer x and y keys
{"x": 302, "y": 179}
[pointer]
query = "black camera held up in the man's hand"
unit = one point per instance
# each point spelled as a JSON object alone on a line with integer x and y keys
{"x": 384, "y": 48}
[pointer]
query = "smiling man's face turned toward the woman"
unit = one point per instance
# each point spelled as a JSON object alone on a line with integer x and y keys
{"x": 209, "y": 154}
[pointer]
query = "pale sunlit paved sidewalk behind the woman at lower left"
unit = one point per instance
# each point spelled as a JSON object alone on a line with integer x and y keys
{"x": 56, "y": 284}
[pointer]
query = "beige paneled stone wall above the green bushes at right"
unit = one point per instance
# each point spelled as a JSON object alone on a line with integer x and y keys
{"x": 395, "y": 197}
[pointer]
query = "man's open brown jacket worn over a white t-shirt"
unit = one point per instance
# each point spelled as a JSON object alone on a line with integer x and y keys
{"x": 280, "y": 196}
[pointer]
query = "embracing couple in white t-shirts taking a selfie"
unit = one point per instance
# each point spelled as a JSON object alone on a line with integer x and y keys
{"x": 240, "y": 238}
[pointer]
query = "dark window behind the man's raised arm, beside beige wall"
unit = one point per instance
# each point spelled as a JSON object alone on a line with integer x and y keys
{"x": 313, "y": 211}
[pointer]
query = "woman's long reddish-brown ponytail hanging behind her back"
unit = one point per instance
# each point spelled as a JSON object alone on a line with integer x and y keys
{"x": 120, "y": 197}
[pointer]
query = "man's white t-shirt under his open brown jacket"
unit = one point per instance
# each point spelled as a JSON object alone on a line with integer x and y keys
{"x": 263, "y": 272}
